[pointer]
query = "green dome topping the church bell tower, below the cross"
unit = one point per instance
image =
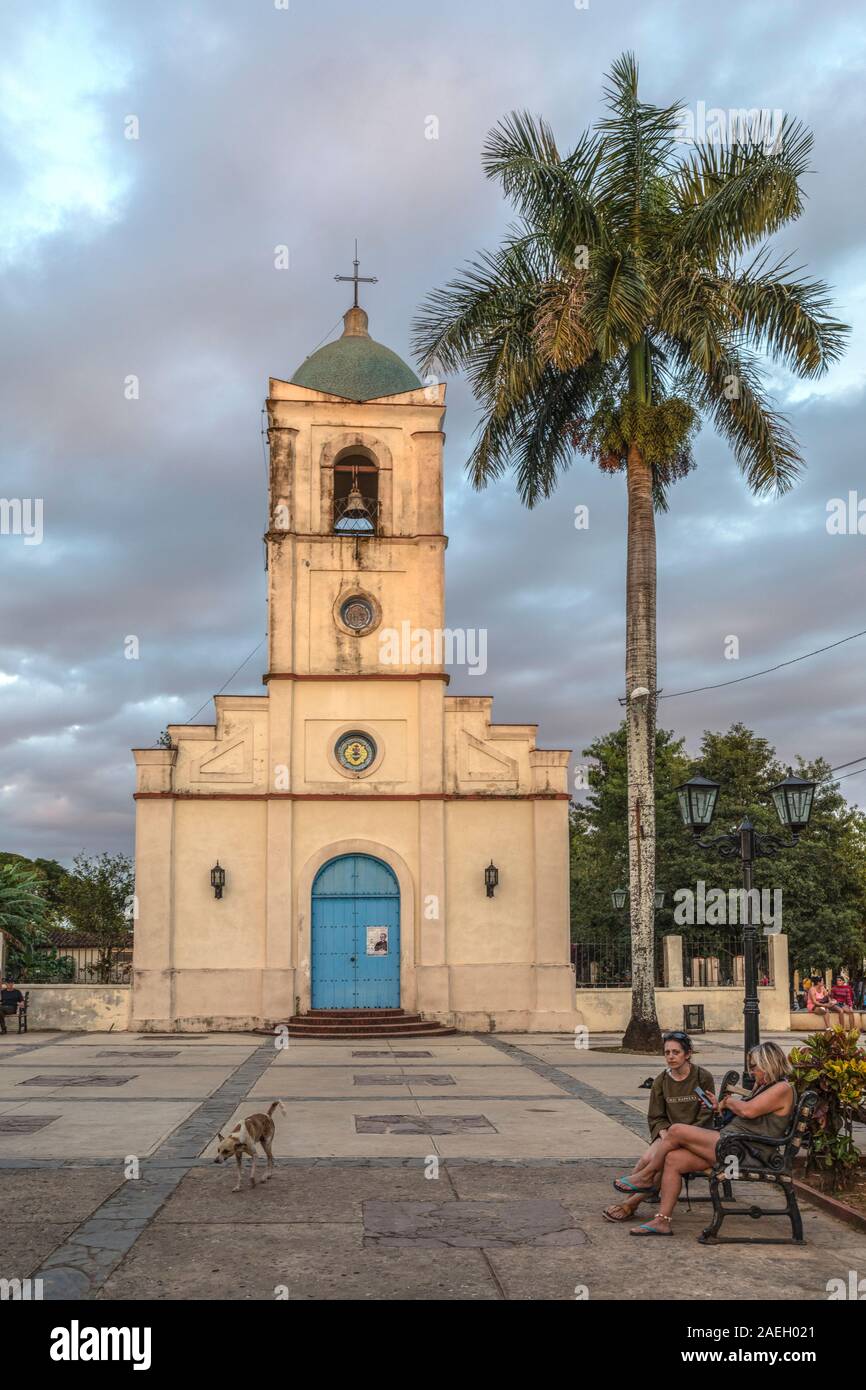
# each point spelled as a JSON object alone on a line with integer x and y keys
{"x": 355, "y": 366}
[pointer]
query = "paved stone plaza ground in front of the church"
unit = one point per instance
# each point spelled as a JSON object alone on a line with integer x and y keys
{"x": 475, "y": 1167}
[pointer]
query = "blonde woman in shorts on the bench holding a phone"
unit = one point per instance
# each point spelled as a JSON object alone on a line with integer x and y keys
{"x": 687, "y": 1149}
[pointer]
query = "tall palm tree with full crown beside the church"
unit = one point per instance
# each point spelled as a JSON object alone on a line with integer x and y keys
{"x": 632, "y": 300}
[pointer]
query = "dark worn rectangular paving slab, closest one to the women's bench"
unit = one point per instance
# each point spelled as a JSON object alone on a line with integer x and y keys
{"x": 471, "y": 1225}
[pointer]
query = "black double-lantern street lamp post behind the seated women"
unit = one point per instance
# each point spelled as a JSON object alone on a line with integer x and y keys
{"x": 793, "y": 800}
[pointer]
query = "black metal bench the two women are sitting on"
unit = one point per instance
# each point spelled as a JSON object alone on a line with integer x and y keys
{"x": 760, "y": 1160}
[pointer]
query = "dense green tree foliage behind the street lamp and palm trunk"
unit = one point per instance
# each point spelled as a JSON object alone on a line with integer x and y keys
{"x": 822, "y": 881}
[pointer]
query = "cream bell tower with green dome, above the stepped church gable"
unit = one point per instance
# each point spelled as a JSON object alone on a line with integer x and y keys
{"x": 355, "y": 540}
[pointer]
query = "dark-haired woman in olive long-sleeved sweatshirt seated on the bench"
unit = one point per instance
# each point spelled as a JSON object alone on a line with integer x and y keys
{"x": 673, "y": 1100}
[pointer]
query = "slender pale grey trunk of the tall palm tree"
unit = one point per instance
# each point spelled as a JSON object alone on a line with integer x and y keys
{"x": 643, "y": 1033}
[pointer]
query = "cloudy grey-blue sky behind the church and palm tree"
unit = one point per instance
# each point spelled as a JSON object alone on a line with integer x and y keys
{"x": 307, "y": 126}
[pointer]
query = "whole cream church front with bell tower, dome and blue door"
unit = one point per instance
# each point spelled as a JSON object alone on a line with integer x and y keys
{"x": 354, "y": 837}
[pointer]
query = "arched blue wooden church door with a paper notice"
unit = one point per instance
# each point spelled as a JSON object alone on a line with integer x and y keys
{"x": 357, "y": 936}
